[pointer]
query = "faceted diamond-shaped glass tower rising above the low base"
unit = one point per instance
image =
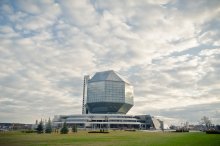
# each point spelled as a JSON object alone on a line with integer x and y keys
{"x": 109, "y": 92}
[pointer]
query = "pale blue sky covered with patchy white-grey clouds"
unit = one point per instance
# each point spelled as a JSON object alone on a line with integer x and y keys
{"x": 168, "y": 49}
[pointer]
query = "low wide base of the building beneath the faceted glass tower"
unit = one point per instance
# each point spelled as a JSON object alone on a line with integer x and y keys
{"x": 108, "y": 121}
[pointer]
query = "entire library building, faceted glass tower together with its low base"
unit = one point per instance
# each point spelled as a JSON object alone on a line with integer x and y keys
{"x": 107, "y": 97}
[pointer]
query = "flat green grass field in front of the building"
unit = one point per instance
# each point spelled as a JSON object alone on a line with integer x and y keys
{"x": 114, "y": 138}
